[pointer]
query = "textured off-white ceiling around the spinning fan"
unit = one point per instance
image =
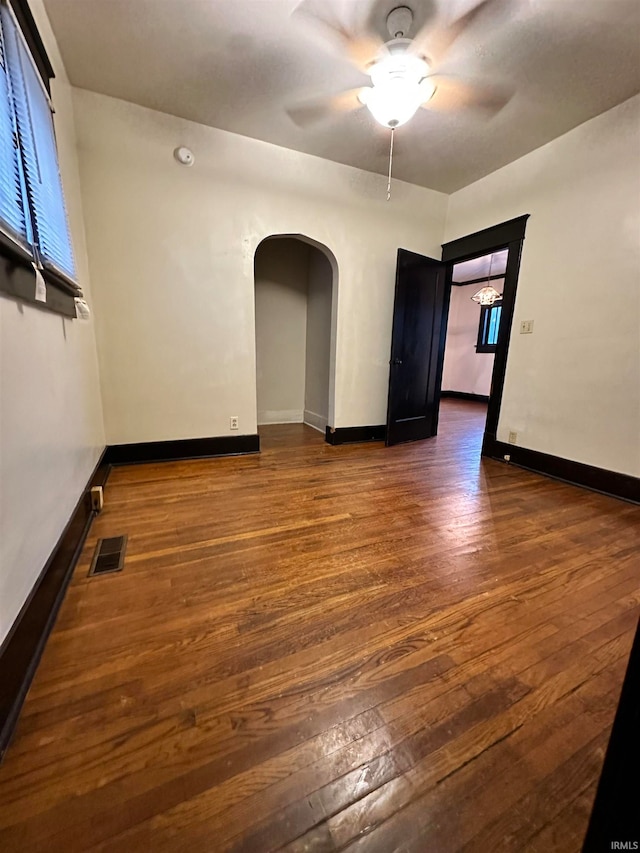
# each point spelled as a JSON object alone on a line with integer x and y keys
{"x": 238, "y": 64}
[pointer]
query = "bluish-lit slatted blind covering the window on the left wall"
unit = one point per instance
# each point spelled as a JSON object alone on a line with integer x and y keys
{"x": 44, "y": 212}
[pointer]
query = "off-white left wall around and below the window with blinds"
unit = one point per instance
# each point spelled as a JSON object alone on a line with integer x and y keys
{"x": 51, "y": 432}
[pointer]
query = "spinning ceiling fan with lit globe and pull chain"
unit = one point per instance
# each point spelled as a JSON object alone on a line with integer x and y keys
{"x": 403, "y": 70}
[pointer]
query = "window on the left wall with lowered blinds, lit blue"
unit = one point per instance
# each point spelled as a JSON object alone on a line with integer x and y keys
{"x": 34, "y": 228}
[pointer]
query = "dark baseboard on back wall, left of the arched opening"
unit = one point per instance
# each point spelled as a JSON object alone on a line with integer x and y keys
{"x": 184, "y": 448}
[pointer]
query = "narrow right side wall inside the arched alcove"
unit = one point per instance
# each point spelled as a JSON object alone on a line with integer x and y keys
{"x": 318, "y": 357}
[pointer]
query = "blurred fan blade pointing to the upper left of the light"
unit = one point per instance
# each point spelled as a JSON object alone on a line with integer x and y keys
{"x": 353, "y": 40}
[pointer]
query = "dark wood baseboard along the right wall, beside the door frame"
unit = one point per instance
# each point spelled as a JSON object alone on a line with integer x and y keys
{"x": 611, "y": 483}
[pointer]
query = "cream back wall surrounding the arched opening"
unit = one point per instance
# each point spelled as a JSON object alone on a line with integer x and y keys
{"x": 172, "y": 248}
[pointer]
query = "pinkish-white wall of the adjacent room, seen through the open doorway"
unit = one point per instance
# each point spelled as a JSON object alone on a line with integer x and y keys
{"x": 464, "y": 368}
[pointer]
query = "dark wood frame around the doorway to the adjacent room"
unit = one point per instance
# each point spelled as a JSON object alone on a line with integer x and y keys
{"x": 507, "y": 235}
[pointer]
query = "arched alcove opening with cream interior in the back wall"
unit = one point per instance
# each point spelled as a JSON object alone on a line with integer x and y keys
{"x": 295, "y": 314}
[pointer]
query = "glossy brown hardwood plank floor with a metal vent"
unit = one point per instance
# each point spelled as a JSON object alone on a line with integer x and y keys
{"x": 324, "y": 648}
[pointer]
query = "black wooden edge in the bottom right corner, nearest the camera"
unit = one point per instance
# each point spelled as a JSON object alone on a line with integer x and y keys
{"x": 615, "y": 810}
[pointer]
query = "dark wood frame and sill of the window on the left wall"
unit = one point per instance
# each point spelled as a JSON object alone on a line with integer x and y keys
{"x": 17, "y": 273}
